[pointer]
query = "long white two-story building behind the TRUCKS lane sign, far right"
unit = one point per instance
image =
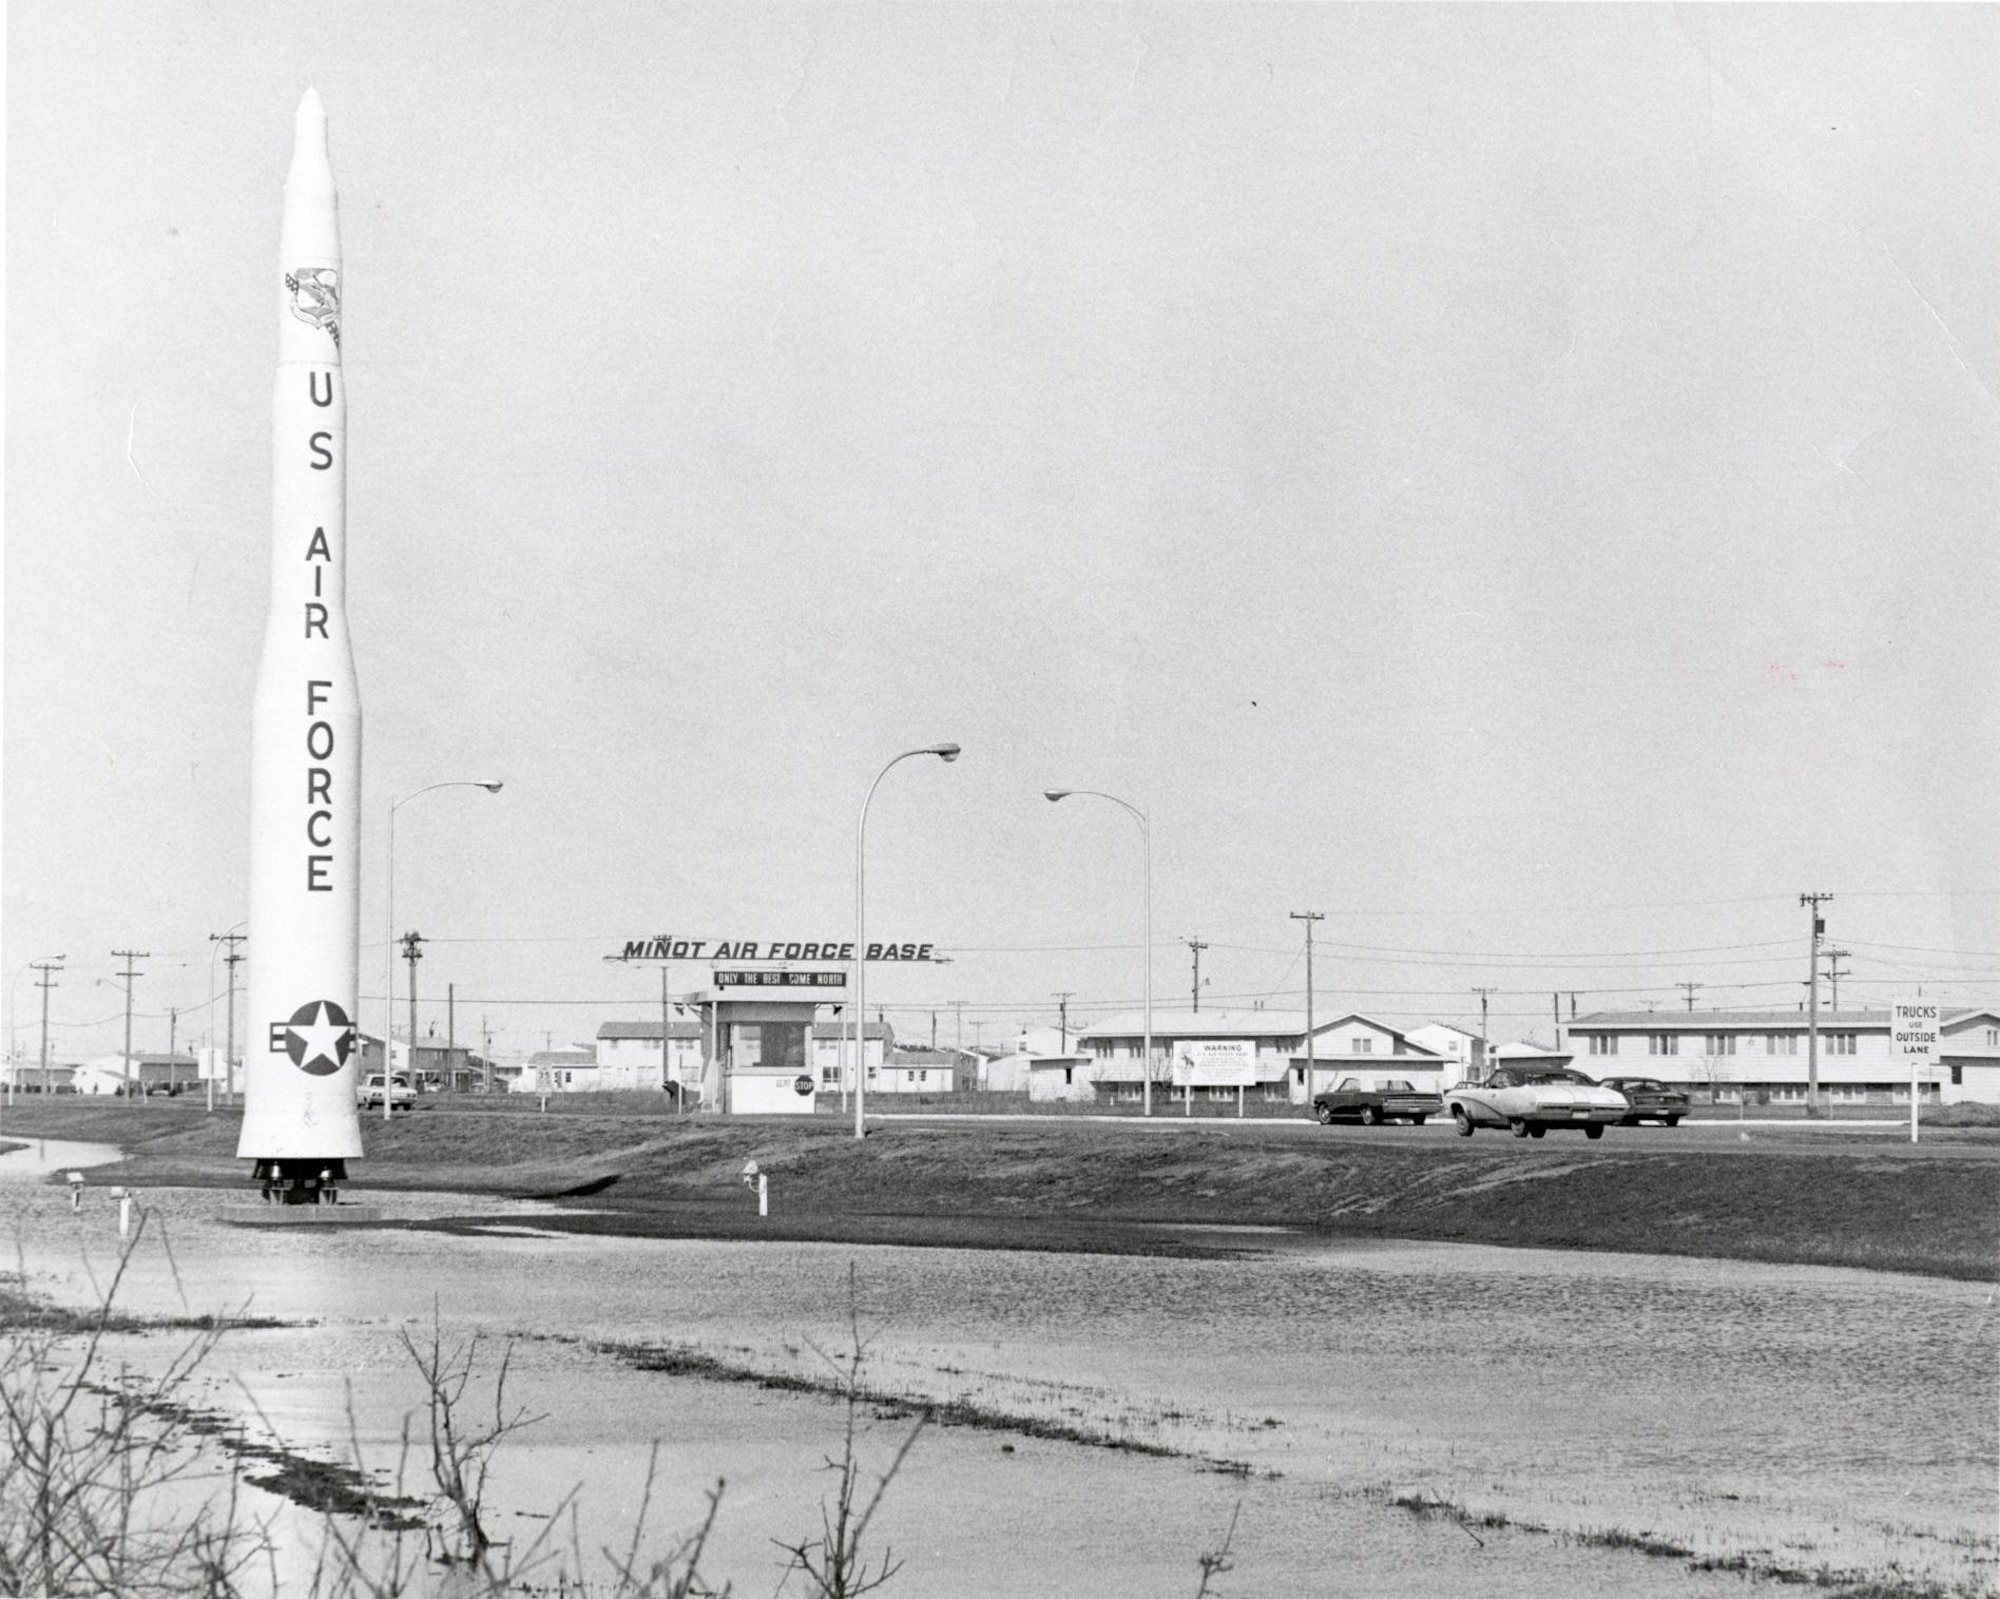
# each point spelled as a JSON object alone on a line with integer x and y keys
{"x": 1767, "y": 1054}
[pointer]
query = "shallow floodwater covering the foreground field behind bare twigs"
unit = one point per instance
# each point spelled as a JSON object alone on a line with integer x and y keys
{"x": 1571, "y": 1412}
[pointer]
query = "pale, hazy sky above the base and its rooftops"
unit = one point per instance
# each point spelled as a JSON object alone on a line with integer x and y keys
{"x": 1515, "y": 481}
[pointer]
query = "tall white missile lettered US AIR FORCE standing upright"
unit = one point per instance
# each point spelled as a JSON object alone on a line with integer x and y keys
{"x": 301, "y": 1122}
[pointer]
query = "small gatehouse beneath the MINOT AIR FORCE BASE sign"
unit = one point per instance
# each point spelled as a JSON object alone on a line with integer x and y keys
{"x": 759, "y": 1024}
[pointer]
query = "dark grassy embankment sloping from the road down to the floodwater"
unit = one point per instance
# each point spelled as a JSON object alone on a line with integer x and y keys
{"x": 1803, "y": 1198}
